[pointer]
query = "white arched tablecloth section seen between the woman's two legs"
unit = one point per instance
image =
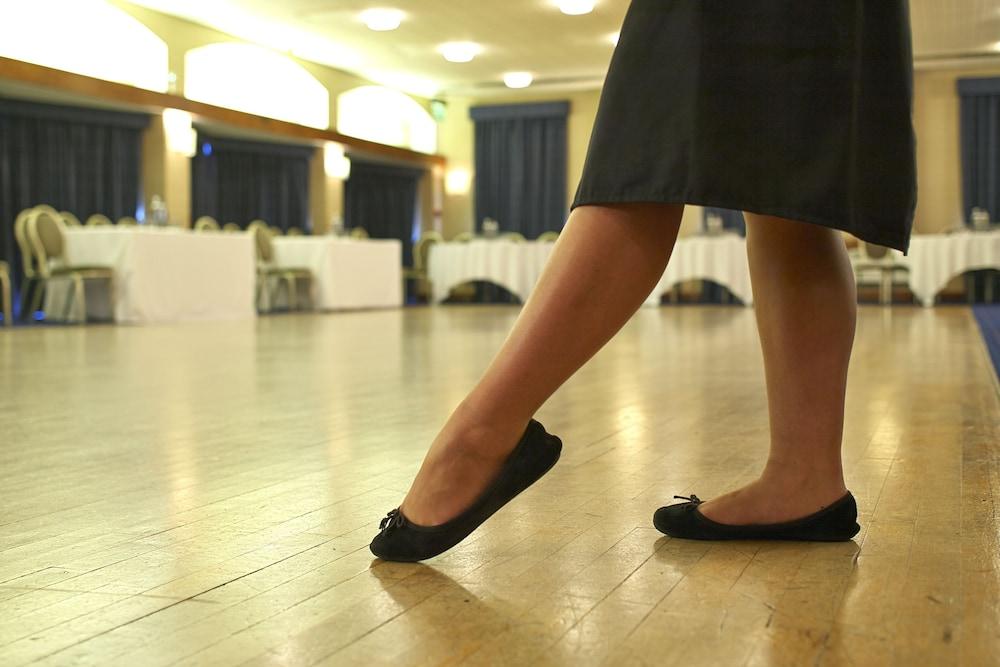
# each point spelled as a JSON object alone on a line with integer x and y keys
{"x": 722, "y": 259}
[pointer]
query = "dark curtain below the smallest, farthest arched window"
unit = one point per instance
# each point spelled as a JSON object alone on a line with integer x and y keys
{"x": 382, "y": 198}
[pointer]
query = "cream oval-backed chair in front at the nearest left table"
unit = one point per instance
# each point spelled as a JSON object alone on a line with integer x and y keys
{"x": 46, "y": 233}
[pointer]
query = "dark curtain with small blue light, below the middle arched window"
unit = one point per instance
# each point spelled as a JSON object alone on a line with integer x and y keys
{"x": 239, "y": 181}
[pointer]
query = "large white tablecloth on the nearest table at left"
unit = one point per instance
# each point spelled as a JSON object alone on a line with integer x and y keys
{"x": 162, "y": 275}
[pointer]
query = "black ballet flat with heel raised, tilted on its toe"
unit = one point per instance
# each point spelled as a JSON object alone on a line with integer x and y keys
{"x": 402, "y": 540}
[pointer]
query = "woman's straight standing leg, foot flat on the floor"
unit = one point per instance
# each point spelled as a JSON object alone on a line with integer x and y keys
{"x": 806, "y": 306}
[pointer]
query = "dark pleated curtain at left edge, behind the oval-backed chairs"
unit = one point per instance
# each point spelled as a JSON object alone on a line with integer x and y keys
{"x": 80, "y": 160}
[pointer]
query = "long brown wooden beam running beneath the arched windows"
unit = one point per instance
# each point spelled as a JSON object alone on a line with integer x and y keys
{"x": 109, "y": 91}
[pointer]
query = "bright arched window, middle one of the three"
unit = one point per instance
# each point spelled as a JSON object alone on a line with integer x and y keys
{"x": 255, "y": 80}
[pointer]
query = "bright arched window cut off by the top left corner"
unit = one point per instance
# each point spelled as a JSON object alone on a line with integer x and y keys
{"x": 88, "y": 37}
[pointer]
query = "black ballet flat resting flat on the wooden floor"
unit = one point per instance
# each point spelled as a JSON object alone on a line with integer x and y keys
{"x": 835, "y": 523}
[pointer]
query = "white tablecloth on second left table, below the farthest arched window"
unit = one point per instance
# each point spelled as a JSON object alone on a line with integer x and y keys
{"x": 347, "y": 273}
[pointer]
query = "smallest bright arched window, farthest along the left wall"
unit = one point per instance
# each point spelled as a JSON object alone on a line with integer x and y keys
{"x": 387, "y": 116}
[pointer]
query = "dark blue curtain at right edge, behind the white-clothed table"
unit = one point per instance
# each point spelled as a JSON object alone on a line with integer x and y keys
{"x": 980, "y": 139}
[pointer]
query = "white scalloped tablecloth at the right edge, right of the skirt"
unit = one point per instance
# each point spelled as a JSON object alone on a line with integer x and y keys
{"x": 934, "y": 259}
